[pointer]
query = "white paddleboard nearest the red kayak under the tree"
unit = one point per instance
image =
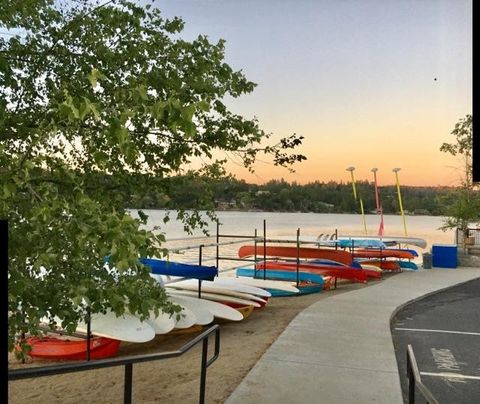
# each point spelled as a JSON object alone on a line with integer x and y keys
{"x": 124, "y": 328}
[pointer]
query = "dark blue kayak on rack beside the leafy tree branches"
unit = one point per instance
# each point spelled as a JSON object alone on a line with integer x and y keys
{"x": 161, "y": 267}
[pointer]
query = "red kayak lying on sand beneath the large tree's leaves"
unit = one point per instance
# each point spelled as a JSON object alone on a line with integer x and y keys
{"x": 56, "y": 348}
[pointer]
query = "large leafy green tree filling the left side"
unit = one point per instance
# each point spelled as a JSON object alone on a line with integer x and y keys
{"x": 103, "y": 88}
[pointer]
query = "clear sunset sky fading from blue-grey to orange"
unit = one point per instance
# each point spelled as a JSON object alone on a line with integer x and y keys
{"x": 355, "y": 78}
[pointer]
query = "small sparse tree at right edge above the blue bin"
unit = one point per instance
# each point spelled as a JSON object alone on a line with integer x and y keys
{"x": 463, "y": 206}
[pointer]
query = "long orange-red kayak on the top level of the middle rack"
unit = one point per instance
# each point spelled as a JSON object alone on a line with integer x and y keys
{"x": 340, "y": 256}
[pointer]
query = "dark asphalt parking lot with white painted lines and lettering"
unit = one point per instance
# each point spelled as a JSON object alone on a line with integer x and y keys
{"x": 444, "y": 331}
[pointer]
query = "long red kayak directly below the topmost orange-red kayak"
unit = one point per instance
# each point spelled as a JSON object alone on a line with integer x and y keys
{"x": 358, "y": 275}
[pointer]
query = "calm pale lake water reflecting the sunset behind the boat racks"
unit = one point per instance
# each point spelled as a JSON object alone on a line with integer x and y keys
{"x": 285, "y": 224}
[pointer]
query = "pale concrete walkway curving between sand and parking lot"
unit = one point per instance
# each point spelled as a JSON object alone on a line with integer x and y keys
{"x": 340, "y": 349}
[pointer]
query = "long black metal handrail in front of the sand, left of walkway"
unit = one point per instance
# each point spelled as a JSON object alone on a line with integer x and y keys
{"x": 128, "y": 362}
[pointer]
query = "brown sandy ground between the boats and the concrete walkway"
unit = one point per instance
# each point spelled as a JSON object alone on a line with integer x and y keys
{"x": 175, "y": 380}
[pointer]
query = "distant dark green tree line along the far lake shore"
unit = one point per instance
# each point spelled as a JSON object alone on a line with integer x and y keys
{"x": 228, "y": 193}
